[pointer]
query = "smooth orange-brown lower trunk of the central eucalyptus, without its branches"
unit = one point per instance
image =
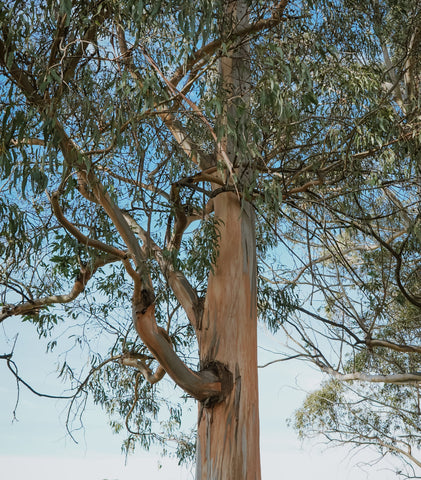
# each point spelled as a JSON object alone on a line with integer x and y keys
{"x": 228, "y": 432}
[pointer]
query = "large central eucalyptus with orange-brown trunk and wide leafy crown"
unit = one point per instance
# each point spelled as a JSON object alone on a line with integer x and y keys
{"x": 173, "y": 171}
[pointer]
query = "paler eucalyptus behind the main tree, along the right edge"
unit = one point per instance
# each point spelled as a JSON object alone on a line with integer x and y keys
{"x": 363, "y": 263}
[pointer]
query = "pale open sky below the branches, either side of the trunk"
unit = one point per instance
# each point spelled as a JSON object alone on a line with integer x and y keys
{"x": 35, "y": 446}
